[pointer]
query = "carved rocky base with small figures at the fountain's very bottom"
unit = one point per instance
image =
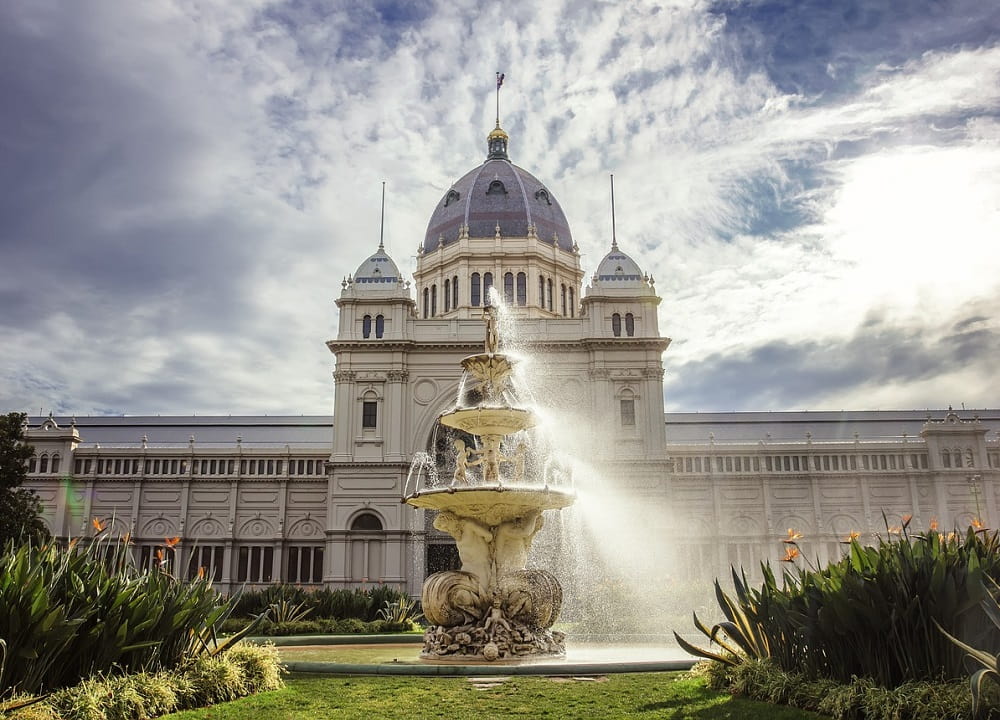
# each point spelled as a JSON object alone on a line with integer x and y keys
{"x": 502, "y": 640}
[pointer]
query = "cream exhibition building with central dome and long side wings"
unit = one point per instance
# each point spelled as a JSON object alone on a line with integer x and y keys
{"x": 315, "y": 500}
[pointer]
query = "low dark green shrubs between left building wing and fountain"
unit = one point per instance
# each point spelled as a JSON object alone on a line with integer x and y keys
{"x": 323, "y": 603}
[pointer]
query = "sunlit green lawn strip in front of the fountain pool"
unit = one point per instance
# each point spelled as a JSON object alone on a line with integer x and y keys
{"x": 641, "y": 695}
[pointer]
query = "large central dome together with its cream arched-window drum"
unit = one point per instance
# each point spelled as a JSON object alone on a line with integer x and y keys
{"x": 498, "y": 226}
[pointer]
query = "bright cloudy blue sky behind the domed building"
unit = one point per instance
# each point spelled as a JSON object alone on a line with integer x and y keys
{"x": 814, "y": 186}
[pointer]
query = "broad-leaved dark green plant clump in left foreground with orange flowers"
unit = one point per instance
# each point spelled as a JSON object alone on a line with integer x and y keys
{"x": 81, "y": 611}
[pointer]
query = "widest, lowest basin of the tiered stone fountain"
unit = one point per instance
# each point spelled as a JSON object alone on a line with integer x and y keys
{"x": 492, "y": 505}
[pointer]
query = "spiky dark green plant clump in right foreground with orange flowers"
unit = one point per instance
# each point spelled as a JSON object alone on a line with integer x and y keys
{"x": 873, "y": 614}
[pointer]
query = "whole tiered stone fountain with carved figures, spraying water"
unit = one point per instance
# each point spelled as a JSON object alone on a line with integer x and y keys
{"x": 494, "y": 608}
